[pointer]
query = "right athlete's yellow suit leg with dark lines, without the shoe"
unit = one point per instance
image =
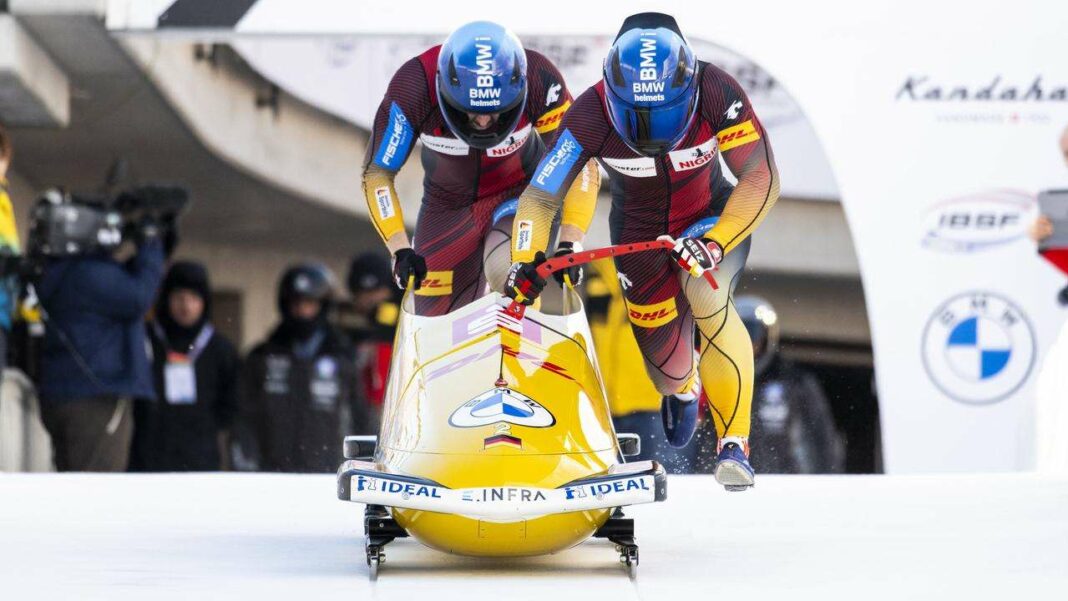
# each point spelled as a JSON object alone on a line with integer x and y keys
{"x": 727, "y": 353}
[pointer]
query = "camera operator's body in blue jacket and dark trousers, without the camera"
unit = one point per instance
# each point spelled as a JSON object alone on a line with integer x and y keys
{"x": 96, "y": 359}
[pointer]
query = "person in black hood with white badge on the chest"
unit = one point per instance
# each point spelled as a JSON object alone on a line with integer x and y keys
{"x": 196, "y": 372}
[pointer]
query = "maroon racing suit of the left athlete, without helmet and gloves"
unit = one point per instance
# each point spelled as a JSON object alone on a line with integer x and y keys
{"x": 466, "y": 191}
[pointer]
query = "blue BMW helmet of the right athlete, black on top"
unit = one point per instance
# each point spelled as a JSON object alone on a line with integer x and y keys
{"x": 651, "y": 84}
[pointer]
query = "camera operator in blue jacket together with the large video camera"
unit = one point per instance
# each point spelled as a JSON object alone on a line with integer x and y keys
{"x": 96, "y": 361}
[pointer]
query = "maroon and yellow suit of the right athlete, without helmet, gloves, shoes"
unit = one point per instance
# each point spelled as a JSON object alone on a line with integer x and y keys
{"x": 683, "y": 193}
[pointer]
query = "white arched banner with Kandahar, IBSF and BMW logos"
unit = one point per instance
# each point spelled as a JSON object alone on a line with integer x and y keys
{"x": 941, "y": 122}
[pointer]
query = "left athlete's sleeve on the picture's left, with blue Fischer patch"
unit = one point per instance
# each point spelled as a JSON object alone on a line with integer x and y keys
{"x": 406, "y": 106}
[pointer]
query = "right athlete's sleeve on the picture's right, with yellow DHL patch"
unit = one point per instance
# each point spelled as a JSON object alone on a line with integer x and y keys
{"x": 747, "y": 152}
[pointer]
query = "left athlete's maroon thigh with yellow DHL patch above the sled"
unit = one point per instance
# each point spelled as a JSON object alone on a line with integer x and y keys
{"x": 451, "y": 240}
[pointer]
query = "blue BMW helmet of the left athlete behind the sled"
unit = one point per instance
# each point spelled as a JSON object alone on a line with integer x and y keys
{"x": 482, "y": 70}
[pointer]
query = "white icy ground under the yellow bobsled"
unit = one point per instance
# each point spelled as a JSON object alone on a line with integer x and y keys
{"x": 244, "y": 536}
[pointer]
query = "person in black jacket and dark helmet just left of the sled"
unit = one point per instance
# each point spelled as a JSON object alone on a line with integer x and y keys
{"x": 302, "y": 390}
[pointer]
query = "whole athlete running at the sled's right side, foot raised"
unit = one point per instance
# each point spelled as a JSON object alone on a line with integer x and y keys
{"x": 656, "y": 123}
